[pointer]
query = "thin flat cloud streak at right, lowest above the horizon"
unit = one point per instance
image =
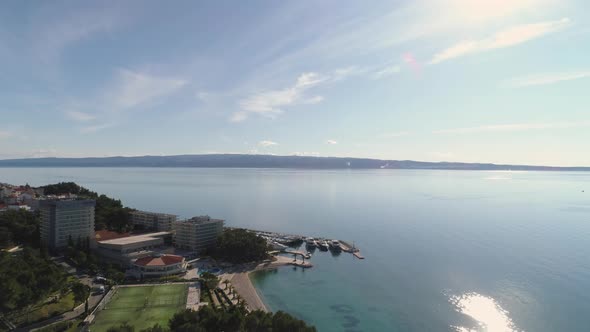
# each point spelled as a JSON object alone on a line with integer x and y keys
{"x": 514, "y": 127}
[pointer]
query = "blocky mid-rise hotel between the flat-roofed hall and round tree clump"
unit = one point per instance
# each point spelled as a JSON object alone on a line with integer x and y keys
{"x": 197, "y": 233}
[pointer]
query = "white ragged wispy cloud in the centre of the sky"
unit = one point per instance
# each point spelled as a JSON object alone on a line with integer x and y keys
{"x": 271, "y": 103}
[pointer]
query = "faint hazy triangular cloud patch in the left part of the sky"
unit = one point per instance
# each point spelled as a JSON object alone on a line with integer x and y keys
{"x": 135, "y": 88}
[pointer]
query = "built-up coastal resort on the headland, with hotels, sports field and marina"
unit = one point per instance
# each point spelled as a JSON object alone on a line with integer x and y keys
{"x": 156, "y": 251}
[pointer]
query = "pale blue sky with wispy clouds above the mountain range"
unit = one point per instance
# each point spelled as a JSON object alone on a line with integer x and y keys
{"x": 503, "y": 81}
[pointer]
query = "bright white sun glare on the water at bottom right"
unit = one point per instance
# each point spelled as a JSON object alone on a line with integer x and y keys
{"x": 490, "y": 316}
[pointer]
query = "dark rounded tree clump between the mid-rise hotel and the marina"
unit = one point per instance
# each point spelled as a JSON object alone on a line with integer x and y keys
{"x": 240, "y": 246}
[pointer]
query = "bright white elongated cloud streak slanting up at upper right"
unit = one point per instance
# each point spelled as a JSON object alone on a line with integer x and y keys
{"x": 510, "y": 37}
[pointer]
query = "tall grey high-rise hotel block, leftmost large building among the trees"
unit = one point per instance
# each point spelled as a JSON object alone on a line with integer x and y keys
{"x": 62, "y": 220}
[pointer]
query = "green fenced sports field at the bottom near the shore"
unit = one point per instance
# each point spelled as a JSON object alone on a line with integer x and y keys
{"x": 141, "y": 306}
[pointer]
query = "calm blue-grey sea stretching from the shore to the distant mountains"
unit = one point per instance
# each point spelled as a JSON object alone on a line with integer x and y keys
{"x": 445, "y": 250}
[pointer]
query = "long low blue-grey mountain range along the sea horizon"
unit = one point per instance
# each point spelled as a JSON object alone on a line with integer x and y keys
{"x": 266, "y": 161}
